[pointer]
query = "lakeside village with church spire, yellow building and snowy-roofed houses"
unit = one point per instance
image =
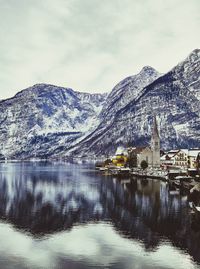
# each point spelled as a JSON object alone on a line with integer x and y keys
{"x": 179, "y": 167}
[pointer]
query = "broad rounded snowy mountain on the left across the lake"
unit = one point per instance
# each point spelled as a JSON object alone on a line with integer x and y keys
{"x": 42, "y": 118}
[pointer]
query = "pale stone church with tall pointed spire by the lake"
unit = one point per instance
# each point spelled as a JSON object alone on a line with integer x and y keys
{"x": 151, "y": 154}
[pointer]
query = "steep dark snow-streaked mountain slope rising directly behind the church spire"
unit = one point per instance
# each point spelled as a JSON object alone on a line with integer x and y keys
{"x": 173, "y": 98}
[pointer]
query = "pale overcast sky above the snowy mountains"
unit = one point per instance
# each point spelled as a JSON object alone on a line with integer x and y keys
{"x": 90, "y": 45}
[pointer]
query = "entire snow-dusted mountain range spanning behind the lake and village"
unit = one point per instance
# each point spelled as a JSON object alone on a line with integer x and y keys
{"x": 45, "y": 120}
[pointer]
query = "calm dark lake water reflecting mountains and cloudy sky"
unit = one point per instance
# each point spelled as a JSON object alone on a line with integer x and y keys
{"x": 60, "y": 215}
